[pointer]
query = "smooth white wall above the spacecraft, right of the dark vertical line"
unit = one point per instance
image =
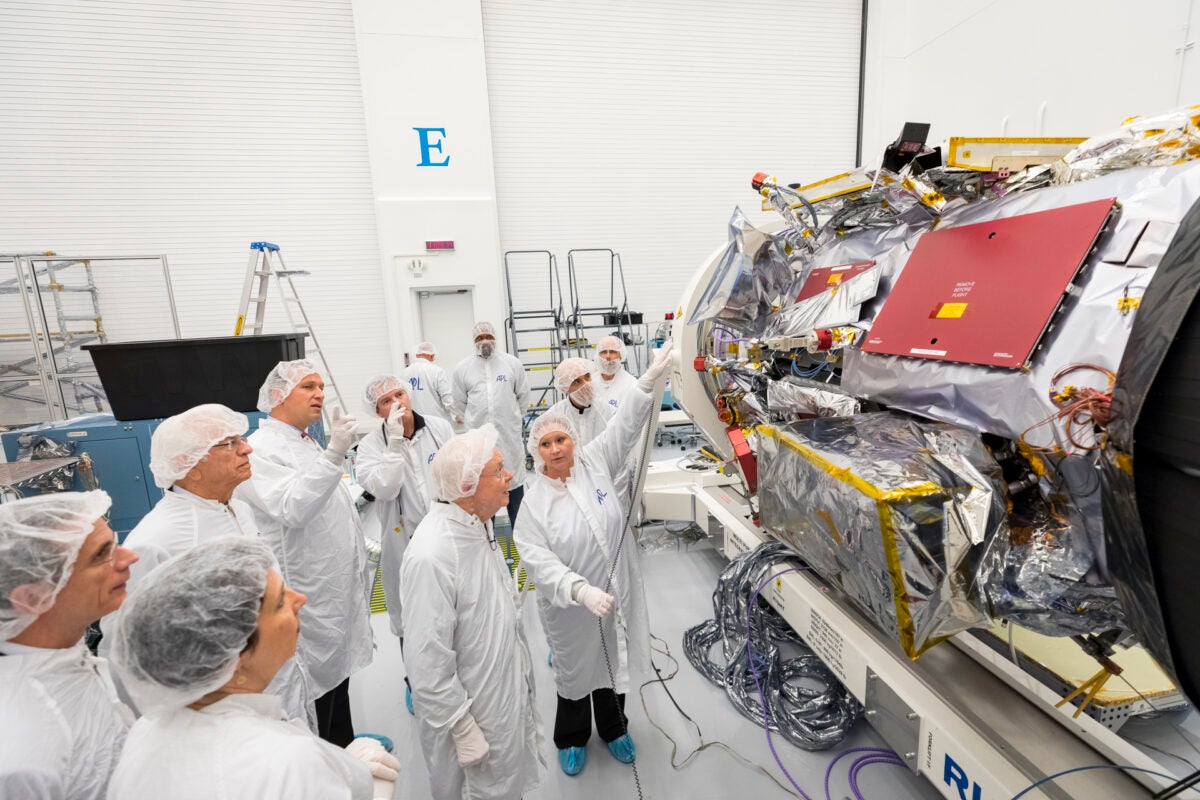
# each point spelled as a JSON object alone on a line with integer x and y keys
{"x": 1025, "y": 69}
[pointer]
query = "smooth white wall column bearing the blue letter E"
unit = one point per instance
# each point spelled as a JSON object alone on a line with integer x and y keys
{"x": 423, "y": 67}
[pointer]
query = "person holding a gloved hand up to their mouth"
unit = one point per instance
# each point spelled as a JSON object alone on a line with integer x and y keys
{"x": 395, "y": 465}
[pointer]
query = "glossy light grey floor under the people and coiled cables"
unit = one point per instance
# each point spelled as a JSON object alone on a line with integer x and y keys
{"x": 679, "y": 587}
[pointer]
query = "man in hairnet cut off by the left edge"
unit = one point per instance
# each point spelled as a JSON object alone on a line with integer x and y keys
{"x": 62, "y": 725}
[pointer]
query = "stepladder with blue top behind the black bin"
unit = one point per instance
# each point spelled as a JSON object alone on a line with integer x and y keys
{"x": 267, "y": 261}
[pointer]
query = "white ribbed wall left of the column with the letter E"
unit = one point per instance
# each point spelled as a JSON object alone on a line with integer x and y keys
{"x": 193, "y": 130}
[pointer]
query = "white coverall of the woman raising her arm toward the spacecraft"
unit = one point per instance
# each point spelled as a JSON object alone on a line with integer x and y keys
{"x": 571, "y": 532}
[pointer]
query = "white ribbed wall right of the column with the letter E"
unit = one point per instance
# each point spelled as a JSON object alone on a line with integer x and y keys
{"x": 637, "y": 127}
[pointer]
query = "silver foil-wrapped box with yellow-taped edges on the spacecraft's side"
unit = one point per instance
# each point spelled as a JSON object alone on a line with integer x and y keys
{"x": 895, "y": 512}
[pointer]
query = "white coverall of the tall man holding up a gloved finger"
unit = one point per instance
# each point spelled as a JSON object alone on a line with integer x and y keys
{"x": 305, "y": 513}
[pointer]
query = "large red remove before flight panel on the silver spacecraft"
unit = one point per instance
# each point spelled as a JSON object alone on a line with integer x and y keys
{"x": 986, "y": 293}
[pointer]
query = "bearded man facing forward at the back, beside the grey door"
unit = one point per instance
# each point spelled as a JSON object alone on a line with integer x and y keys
{"x": 493, "y": 387}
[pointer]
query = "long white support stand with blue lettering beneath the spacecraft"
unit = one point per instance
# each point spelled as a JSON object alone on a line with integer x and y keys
{"x": 969, "y": 720}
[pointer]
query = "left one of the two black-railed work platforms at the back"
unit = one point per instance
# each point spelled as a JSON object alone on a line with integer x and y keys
{"x": 535, "y": 333}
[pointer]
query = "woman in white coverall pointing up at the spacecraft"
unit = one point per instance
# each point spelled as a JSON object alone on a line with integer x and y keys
{"x": 578, "y": 550}
